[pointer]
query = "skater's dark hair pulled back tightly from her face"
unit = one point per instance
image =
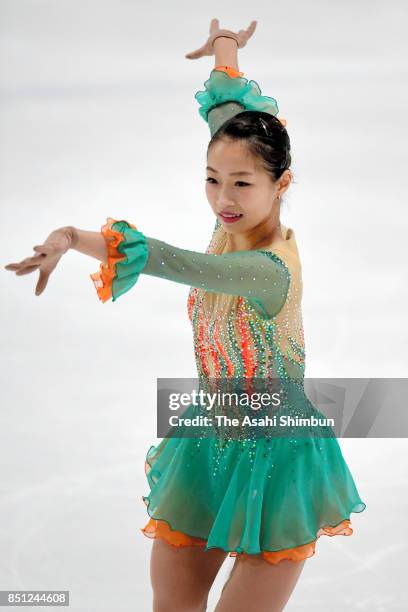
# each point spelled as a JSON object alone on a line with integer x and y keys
{"x": 265, "y": 136}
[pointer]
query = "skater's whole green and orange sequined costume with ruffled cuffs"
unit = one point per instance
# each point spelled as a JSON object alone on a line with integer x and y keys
{"x": 273, "y": 496}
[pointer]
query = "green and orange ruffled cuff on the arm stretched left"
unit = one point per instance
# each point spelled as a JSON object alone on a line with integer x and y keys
{"x": 127, "y": 256}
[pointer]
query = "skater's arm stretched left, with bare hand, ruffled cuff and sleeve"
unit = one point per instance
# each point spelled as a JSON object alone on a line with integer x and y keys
{"x": 125, "y": 253}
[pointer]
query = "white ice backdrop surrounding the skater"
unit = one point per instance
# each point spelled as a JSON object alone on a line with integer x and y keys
{"x": 98, "y": 118}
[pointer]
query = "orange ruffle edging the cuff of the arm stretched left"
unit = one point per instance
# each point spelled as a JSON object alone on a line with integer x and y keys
{"x": 104, "y": 277}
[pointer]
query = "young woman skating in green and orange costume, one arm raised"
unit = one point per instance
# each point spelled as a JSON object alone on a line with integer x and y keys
{"x": 267, "y": 500}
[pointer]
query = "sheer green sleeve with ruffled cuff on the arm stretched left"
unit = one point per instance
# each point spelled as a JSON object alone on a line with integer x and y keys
{"x": 260, "y": 276}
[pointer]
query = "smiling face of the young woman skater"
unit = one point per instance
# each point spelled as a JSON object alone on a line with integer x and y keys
{"x": 237, "y": 183}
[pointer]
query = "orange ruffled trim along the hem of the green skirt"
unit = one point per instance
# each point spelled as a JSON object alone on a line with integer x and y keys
{"x": 160, "y": 529}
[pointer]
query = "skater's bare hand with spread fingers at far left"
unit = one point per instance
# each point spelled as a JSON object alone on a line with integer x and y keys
{"x": 48, "y": 255}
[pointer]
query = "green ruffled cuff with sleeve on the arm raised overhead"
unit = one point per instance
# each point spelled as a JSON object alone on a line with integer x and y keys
{"x": 227, "y": 93}
